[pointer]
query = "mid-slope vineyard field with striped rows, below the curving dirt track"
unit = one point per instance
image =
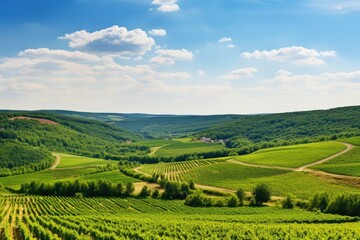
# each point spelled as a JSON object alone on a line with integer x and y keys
{"x": 233, "y": 176}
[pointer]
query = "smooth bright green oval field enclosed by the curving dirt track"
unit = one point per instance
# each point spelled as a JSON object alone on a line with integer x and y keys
{"x": 293, "y": 156}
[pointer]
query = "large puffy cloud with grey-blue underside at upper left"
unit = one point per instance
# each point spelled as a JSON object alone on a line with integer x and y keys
{"x": 114, "y": 40}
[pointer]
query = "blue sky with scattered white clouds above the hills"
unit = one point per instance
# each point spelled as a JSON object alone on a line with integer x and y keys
{"x": 179, "y": 56}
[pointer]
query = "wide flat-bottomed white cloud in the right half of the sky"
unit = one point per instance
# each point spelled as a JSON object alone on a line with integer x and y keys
{"x": 293, "y": 55}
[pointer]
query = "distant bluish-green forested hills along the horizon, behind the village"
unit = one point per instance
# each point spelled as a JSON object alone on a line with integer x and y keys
{"x": 241, "y": 129}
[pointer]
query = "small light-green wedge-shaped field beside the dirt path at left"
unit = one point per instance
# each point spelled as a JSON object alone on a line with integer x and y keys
{"x": 71, "y": 161}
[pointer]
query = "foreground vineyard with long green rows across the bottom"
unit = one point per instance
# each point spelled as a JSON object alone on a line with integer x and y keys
{"x": 25, "y": 217}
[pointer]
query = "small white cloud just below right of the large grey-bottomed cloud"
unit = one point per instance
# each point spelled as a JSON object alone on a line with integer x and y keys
{"x": 169, "y": 57}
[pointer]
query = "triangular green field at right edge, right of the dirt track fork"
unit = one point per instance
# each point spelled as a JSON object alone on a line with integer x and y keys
{"x": 346, "y": 164}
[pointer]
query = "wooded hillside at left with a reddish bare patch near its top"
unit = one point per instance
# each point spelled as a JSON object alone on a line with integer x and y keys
{"x": 73, "y": 135}
